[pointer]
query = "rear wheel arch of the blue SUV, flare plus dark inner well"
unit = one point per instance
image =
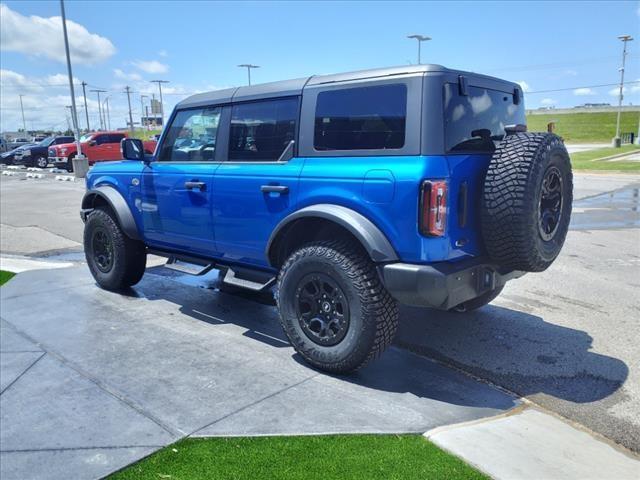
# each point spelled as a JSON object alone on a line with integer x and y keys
{"x": 308, "y": 224}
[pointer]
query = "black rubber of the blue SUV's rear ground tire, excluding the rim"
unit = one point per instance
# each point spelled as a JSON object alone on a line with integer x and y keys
{"x": 373, "y": 313}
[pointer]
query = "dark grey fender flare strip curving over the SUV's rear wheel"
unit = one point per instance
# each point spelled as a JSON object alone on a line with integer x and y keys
{"x": 372, "y": 239}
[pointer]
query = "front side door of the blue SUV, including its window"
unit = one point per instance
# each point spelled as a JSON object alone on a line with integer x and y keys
{"x": 177, "y": 187}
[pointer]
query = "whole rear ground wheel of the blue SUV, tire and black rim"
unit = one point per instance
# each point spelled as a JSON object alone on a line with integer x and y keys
{"x": 333, "y": 308}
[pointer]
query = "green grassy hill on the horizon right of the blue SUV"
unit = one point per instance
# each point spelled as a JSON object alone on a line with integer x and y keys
{"x": 587, "y": 127}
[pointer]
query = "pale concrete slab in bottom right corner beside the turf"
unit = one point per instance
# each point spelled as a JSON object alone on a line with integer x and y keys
{"x": 530, "y": 444}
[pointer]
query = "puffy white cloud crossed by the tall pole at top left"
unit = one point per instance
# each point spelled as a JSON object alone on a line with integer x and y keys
{"x": 42, "y": 37}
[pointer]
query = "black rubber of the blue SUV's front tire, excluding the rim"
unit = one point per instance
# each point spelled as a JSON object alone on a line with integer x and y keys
{"x": 129, "y": 256}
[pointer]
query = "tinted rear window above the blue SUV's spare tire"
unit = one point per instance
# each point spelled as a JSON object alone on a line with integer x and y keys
{"x": 474, "y": 121}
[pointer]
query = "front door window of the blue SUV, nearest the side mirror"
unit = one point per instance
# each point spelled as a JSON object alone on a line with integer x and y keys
{"x": 191, "y": 136}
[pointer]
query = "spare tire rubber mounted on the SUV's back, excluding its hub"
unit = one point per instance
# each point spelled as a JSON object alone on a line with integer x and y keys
{"x": 512, "y": 195}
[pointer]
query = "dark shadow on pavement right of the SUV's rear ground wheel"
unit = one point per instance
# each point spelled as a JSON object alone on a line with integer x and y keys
{"x": 514, "y": 349}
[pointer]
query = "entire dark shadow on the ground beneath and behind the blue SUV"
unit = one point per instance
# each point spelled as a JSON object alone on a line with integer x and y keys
{"x": 513, "y": 349}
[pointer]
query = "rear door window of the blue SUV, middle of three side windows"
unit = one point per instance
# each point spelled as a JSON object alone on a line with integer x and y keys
{"x": 260, "y": 131}
